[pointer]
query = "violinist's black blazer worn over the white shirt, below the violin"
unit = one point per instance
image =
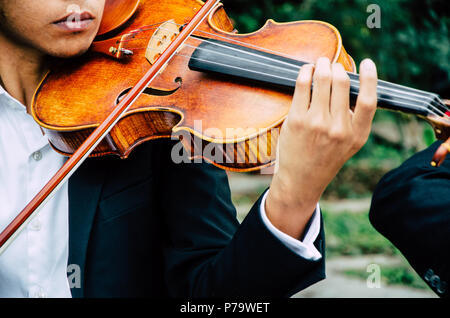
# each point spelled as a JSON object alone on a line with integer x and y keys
{"x": 146, "y": 227}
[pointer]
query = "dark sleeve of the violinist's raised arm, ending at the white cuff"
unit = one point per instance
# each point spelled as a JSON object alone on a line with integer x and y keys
{"x": 208, "y": 254}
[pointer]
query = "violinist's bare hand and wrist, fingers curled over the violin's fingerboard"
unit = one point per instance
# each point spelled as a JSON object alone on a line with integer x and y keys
{"x": 318, "y": 136}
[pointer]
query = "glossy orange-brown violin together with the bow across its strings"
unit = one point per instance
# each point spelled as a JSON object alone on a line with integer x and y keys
{"x": 182, "y": 71}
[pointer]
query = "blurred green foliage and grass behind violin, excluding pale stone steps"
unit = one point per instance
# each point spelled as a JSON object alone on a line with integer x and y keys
{"x": 412, "y": 48}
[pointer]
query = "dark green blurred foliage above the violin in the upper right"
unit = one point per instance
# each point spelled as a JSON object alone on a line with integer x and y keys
{"x": 412, "y": 47}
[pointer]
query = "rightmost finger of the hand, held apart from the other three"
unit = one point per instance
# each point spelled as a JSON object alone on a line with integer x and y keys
{"x": 366, "y": 102}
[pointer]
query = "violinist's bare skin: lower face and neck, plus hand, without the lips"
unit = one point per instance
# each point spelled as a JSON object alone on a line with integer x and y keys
{"x": 319, "y": 135}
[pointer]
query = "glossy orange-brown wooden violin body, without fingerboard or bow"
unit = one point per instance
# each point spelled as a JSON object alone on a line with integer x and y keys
{"x": 223, "y": 120}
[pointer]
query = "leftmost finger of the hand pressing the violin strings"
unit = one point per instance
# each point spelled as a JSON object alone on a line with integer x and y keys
{"x": 302, "y": 94}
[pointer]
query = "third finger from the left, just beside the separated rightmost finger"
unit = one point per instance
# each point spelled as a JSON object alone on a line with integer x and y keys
{"x": 340, "y": 93}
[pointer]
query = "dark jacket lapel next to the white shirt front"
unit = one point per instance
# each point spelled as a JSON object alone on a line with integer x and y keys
{"x": 84, "y": 193}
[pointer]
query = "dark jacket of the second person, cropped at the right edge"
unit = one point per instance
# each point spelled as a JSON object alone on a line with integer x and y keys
{"x": 411, "y": 207}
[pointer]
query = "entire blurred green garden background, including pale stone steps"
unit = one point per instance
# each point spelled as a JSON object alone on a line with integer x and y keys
{"x": 411, "y": 48}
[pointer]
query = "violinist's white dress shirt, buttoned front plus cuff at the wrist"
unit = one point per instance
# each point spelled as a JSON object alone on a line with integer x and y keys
{"x": 35, "y": 264}
